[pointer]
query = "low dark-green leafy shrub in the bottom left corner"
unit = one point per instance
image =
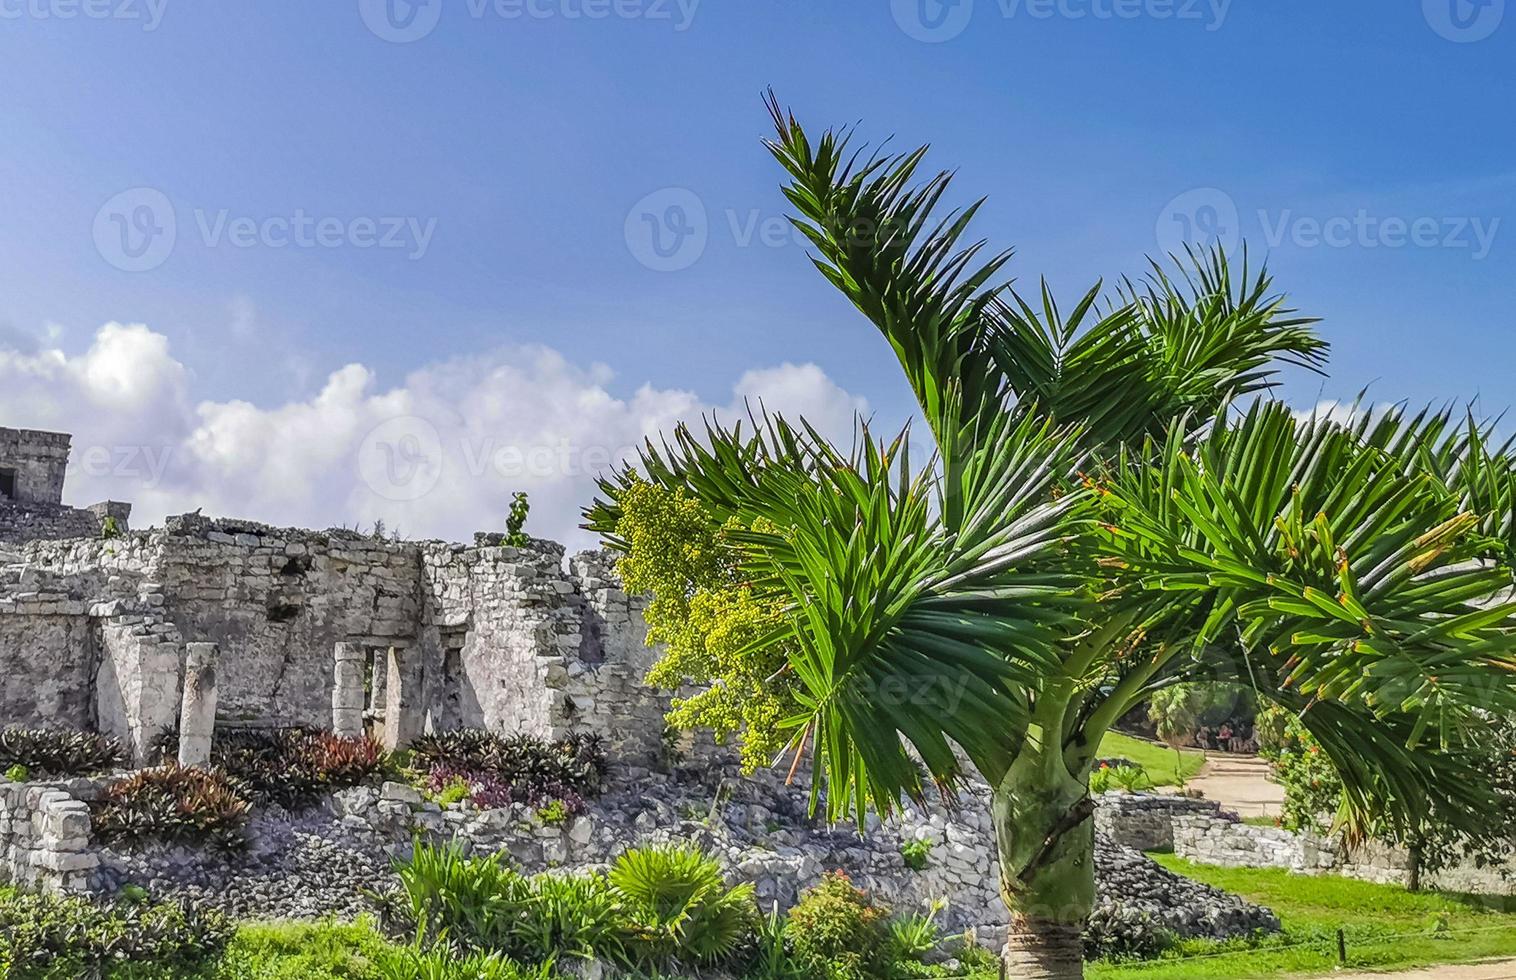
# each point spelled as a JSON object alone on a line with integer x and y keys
{"x": 54, "y": 937}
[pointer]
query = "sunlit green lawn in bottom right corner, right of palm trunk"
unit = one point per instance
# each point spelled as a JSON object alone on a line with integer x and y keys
{"x": 1388, "y": 929}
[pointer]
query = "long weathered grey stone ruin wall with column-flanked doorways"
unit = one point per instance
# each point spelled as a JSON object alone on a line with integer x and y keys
{"x": 93, "y": 632}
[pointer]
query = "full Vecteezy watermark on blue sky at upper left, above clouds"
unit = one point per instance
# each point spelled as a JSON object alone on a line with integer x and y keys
{"x": 137, "y": 231}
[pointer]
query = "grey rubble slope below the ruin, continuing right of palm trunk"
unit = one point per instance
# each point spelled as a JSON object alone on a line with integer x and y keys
{"x": 324, "y": 861}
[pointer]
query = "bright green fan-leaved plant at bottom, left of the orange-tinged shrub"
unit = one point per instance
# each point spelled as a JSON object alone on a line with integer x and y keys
{"x": 680, "y": 905}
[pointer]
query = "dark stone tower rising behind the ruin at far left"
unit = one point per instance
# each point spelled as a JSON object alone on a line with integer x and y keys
{"x": 33, "y": 507}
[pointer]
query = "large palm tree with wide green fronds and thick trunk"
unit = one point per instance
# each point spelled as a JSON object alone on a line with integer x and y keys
{"x": 1115, "y": 506}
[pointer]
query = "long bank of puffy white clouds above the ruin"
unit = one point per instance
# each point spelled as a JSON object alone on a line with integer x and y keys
{"x": 434, "y": 457}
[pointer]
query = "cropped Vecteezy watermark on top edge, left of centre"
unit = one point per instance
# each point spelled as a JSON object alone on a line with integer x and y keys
{"x": 402, "y": 22}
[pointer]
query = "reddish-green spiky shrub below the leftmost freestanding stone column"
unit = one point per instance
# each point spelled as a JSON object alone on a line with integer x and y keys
{"x": 174, "y": 806}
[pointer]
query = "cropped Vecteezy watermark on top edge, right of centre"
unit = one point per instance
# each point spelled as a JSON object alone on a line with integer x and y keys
{"x": 944, "y": 20}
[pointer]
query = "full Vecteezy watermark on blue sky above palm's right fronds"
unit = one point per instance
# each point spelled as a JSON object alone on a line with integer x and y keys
{"x": 1209, "y": 218}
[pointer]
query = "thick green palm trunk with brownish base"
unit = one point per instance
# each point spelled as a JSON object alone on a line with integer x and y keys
{"x": 1047, "y": 844}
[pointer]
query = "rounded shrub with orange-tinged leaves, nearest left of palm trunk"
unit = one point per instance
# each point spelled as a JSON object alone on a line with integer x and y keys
{"x": 839, "y": 932}
